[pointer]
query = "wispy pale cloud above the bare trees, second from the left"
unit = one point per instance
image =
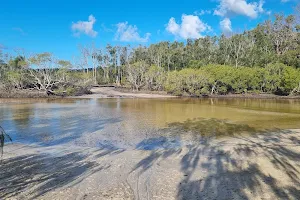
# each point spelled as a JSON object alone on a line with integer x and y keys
{"x": 129, "y": 33}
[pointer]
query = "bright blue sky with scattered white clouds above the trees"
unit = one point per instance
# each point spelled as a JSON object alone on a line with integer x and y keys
{"x": 60, "y": 26}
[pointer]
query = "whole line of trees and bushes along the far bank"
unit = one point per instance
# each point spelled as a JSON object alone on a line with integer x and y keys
{"x": 265, "y": 59}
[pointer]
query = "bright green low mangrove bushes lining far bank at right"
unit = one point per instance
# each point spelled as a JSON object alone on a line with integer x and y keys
{"x": 220, "y": 79}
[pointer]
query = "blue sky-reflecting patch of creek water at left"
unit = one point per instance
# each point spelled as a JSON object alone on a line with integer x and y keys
{"x": 52, "y": 123}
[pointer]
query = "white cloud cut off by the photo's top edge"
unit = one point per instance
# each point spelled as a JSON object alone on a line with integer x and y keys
{"x": 239, "y": 7}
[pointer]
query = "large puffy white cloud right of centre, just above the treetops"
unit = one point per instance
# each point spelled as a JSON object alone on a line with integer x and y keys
{"x": 191, "y": 27}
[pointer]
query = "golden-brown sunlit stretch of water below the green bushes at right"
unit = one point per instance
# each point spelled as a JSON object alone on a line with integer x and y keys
{"x": 257, "y": 113}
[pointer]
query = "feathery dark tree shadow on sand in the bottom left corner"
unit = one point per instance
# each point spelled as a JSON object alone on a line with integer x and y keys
{"x": 36, "y": 174}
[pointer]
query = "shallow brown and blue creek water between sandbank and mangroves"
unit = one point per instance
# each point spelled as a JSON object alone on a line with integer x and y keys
{"x": 141, "y": 123}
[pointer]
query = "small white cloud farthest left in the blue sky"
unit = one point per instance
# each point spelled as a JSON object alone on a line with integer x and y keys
{"x": 85, "y": 27}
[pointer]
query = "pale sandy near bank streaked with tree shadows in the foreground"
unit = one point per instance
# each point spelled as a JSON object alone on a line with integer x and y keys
{"x": 264, "y": 166}
